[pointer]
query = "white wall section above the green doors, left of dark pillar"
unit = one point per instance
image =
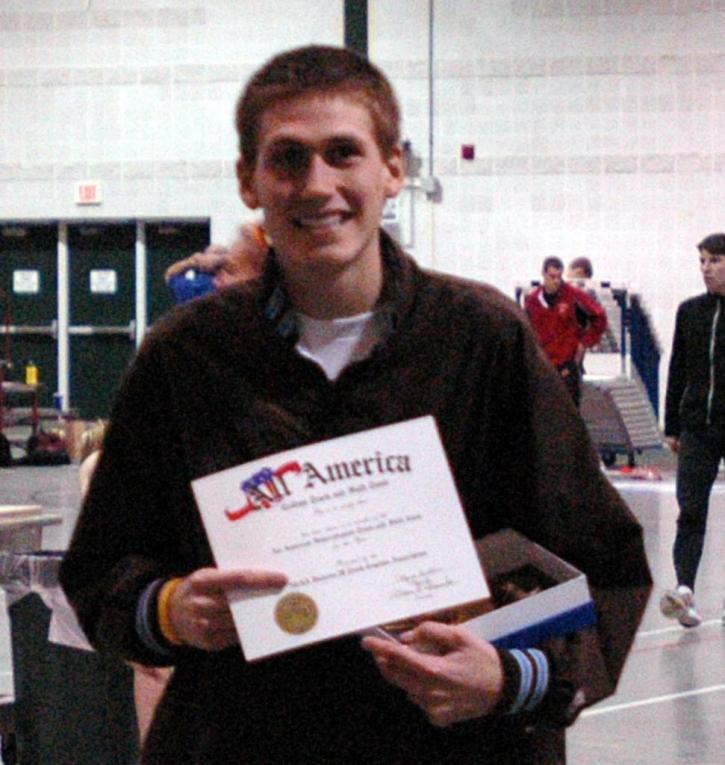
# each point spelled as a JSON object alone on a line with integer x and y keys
{"x": 138, "y": 95}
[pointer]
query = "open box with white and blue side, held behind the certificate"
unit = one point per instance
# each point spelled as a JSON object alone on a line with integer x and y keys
{"x": 553, "y": 596}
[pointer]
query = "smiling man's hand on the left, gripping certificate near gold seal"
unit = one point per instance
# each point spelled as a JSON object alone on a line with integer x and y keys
{"x": 198, "y": 607}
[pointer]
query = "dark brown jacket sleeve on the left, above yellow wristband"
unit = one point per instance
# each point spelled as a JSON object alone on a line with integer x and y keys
{"x": 127, "y": 535}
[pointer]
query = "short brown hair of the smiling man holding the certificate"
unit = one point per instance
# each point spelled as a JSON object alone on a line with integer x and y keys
{"x": 316, "y": 69}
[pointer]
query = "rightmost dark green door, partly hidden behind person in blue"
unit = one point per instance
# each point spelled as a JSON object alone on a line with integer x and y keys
{"x": 167, "y": 242}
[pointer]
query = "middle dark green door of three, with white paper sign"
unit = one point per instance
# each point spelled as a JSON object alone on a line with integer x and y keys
{"x": 102, "y": 316}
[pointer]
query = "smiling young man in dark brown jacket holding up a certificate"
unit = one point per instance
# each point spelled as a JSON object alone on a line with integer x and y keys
{"x": 342, "y": 333}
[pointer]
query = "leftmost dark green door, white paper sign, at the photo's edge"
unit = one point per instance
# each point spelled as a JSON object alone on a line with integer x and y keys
{"x": 29, "y": 303}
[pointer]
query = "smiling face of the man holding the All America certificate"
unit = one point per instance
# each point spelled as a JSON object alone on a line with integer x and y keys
{"x": 322, "y": 181}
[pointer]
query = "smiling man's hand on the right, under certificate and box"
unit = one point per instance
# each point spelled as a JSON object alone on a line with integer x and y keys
{"x": 448, "y": 672}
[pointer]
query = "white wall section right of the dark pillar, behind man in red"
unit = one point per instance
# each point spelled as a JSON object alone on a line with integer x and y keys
{"x": 599, "y": 129}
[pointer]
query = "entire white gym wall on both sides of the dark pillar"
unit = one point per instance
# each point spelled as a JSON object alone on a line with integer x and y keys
{"x": 599, "y": 125}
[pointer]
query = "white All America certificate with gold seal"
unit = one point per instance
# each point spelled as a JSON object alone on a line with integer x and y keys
{"x": 368, "y": 528}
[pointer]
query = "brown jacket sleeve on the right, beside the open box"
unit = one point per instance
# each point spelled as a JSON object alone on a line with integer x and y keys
{"x": 557, "y": 496}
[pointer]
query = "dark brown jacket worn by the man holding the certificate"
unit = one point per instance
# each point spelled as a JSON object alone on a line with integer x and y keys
{"x": 218, "y": 383}
